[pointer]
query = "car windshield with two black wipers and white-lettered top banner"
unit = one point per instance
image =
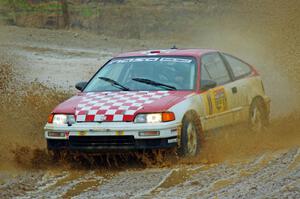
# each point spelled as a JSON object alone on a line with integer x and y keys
{"x": 145, "y": 74}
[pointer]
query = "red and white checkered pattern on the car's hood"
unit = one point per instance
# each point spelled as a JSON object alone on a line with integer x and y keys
{"x": 114, "y": 106}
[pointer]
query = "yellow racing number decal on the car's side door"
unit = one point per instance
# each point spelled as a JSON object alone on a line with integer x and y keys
{"x": 216, "y": 101}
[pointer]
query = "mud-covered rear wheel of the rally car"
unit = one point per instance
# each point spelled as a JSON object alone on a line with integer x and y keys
{"x": 258, "y": 118}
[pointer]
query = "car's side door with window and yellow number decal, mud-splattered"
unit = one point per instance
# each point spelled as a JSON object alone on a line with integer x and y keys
{"x": 217, "y": 100}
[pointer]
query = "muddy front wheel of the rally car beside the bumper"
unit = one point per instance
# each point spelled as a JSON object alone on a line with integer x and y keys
{"x": 190, "y": 135}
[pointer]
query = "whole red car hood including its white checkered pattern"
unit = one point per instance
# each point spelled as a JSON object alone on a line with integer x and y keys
{"x": 119, "y": 106}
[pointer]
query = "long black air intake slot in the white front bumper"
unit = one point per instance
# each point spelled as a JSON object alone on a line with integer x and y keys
{"x": 101, "y": 140}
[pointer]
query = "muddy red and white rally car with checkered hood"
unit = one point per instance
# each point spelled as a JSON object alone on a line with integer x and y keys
{"x": 159, "y": 99}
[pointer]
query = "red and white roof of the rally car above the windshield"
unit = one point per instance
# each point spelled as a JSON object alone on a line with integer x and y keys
{"x": 197, "y": 52}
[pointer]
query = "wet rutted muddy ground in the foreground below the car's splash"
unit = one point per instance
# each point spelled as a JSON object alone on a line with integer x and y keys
{"x": 269, "y": 175}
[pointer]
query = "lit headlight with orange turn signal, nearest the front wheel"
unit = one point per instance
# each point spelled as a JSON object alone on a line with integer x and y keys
{"x": 154, "y": 117}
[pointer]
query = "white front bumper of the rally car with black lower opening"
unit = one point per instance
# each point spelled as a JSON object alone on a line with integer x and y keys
{"x": 112, "y": 136}
